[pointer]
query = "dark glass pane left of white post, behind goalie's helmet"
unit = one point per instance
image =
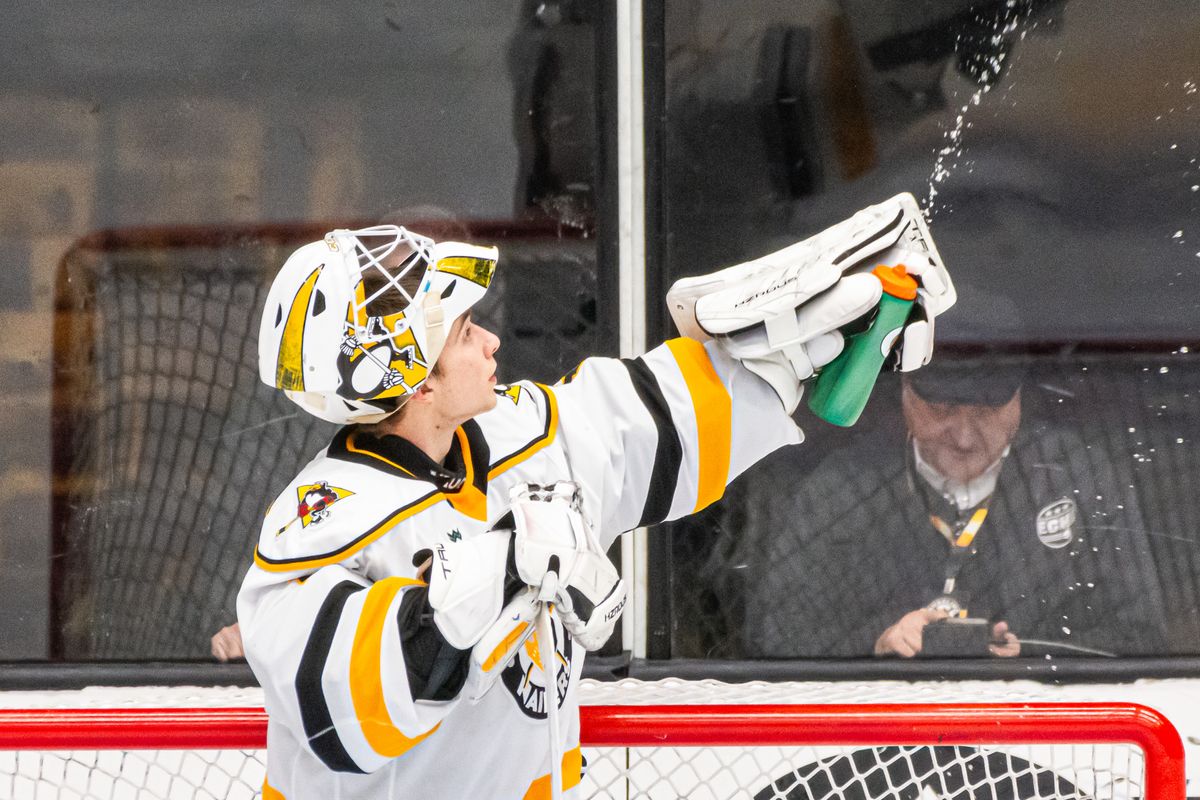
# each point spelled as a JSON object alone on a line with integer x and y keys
{"x": 208, "y": 141}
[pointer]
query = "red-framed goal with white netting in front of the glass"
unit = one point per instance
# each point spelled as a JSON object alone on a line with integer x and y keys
{"x": 656, "y": 741}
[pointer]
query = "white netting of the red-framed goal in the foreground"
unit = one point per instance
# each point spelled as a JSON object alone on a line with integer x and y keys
{"x": 759, "y": 773}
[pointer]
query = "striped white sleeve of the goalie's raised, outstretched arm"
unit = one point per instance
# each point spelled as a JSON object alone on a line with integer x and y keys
{"x": 662, "y": 436}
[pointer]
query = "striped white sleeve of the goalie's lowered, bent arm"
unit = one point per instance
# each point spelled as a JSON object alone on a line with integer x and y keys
{"x": 328, "y": 652}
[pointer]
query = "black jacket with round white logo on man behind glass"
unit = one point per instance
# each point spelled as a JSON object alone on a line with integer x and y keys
{"x": 821, "y": 566}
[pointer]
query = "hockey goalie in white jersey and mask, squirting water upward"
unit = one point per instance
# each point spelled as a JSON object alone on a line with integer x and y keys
{"x": 424, "y": 592}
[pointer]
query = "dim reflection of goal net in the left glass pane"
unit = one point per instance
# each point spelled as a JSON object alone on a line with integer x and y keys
{"x": 167, "y": 447}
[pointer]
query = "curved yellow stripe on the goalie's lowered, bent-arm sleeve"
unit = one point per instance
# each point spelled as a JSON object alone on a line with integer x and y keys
{"x": 367, "y": 672}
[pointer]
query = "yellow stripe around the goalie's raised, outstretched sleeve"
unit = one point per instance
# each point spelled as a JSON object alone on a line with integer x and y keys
{"x": 715, "y": 418}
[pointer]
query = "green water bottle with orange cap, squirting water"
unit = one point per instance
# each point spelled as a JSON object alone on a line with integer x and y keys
{"x": 845, "y": 384}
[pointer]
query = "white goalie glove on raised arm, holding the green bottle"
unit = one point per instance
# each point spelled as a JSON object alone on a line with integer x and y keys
{"x": 781, "y": 315}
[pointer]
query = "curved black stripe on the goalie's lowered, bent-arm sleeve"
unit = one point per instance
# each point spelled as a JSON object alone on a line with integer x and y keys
{"x": 319, "y": 723}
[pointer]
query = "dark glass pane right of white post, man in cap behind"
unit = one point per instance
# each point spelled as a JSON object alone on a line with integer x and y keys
{"x": 1054, "y": 148}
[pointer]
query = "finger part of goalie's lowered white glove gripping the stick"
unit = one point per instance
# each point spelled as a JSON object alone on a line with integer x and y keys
{"x": 551, "y": 536}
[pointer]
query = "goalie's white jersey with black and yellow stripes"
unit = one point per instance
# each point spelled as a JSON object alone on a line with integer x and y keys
{"x": 647, "y": 440}
